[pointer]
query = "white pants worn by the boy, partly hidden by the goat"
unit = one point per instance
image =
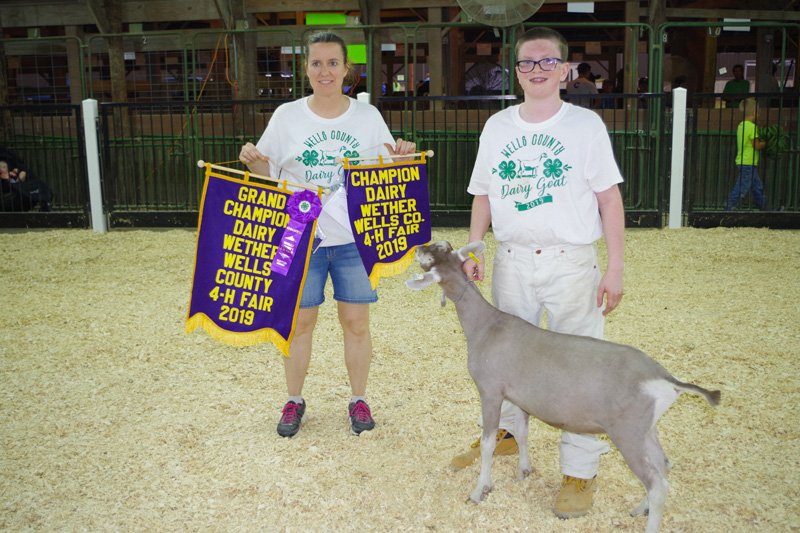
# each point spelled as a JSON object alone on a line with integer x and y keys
{"x": 563, "y": 281}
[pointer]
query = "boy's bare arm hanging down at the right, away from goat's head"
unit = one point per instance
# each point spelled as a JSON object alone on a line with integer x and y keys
{"x": 612, "y": 215}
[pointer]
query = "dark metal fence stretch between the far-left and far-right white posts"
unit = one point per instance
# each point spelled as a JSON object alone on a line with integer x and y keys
{"x": 149, "y": 150}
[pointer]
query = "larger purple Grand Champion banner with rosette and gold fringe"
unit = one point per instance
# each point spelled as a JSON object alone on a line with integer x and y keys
{"x": 253, "y": 247}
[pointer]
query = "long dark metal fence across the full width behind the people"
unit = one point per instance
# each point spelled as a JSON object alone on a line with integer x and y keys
{"x": 149, "y": 153}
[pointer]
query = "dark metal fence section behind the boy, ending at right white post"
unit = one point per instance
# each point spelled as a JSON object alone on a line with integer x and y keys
{"x": 451, "y": 127}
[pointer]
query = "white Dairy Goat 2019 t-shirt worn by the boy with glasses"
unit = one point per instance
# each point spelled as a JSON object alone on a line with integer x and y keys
{"x": 541, "y": 178}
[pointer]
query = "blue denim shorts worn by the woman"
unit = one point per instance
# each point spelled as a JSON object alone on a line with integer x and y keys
{"x": 350, "y": 281}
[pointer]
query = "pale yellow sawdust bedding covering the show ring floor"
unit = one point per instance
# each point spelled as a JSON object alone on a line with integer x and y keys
{"x": 113, "y": 419}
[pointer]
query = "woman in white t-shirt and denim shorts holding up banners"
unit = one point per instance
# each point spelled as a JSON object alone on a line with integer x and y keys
{"x": 304, "y": 138}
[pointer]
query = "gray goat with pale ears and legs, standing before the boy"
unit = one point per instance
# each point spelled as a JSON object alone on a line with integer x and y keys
{"x": 578, "y": 384}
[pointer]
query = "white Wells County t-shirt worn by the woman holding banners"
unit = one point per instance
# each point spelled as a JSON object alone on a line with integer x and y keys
{"x": 307, "y": 145}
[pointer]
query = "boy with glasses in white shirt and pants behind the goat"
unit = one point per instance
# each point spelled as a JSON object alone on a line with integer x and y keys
{"x": 545, "y": 178}
